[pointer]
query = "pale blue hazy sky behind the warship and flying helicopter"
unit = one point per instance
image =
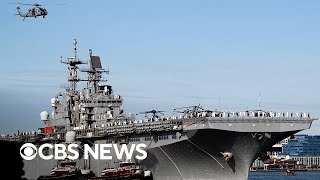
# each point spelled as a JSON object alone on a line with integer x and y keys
{"x": 166, "y": 54}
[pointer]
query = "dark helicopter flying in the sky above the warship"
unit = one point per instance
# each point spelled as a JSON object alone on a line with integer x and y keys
{"x": 35, "y": 11}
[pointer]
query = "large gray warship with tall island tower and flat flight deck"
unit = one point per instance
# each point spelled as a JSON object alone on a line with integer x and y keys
{"x": 192, "y": 143}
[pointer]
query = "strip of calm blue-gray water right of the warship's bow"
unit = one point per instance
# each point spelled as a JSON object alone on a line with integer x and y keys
{"x": 301, "y": 175}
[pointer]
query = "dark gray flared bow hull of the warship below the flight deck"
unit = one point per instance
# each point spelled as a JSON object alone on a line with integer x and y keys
{"x": 199, "y": 157}
